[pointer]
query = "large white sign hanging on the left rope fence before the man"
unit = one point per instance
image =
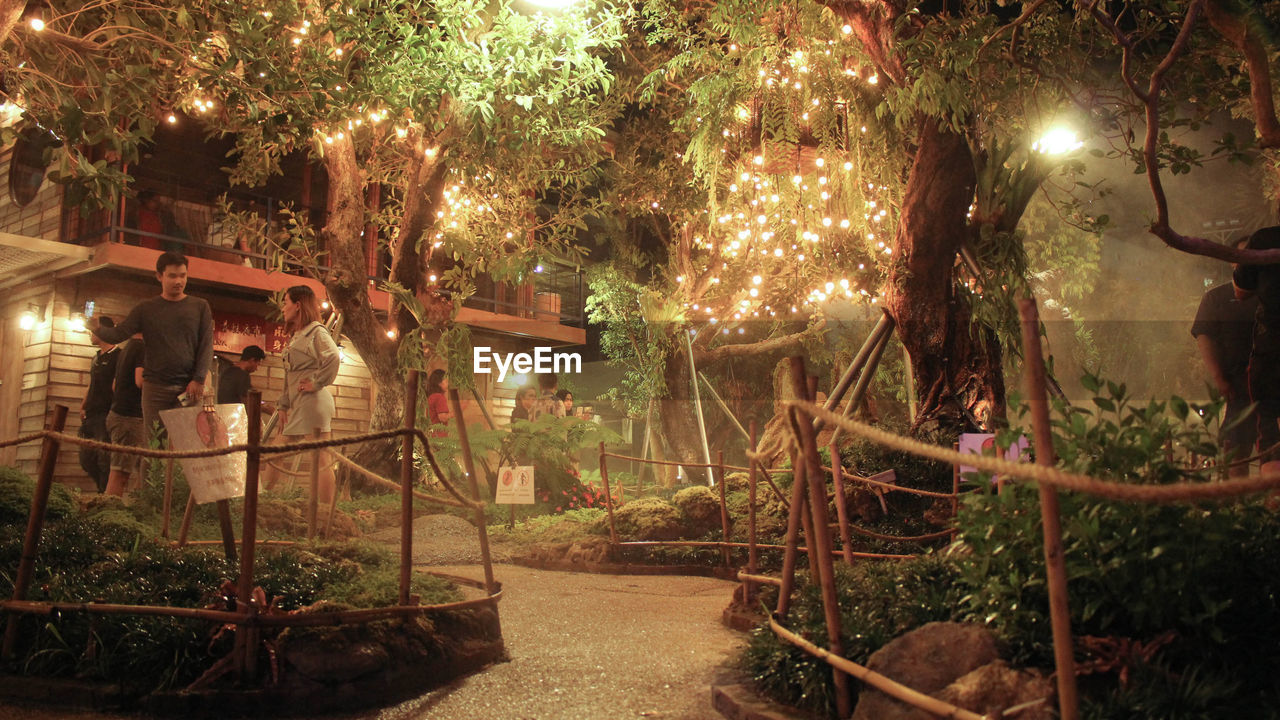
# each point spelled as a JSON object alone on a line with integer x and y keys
{"x": 193, "y": 429}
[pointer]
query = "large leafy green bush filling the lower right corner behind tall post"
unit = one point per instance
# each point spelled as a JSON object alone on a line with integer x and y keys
{"x": 1209, "y": 575}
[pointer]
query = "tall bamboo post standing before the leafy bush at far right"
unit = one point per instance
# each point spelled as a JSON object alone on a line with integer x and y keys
{"x": 1052, "y": 521}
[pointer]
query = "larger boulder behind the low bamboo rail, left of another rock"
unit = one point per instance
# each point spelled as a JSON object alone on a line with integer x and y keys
{"x": 929, "y": 659}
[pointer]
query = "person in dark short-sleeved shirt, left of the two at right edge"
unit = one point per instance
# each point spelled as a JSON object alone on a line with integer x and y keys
{"x": 1224, "y": 335}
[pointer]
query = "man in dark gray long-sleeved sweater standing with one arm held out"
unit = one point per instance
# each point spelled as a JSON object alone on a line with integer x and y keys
{"x": 179, "y": 331}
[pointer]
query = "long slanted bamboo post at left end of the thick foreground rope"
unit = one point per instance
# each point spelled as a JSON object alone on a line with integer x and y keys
{"x": 821, "y": 537}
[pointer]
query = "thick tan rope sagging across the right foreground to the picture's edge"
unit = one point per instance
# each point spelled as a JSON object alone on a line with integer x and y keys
{"x": 1112, "y": 490}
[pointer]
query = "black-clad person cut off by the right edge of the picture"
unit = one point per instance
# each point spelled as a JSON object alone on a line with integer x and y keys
{"x": 1264, "y": 281}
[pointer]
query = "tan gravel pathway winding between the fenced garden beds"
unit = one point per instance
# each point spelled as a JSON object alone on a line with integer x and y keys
{"x": 582, "y": 646}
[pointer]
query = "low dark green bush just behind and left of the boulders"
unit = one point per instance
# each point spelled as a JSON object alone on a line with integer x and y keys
{"x": 879, "y": 601}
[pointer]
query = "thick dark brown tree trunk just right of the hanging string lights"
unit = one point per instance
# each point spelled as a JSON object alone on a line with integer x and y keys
{"x": 957, "y": 366}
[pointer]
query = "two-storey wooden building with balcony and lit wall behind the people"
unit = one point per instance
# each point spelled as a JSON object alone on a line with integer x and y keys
{"x": 58, "y": 265}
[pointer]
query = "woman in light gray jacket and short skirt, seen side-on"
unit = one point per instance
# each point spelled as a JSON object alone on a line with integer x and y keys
{"x": 310, "y": 367}
